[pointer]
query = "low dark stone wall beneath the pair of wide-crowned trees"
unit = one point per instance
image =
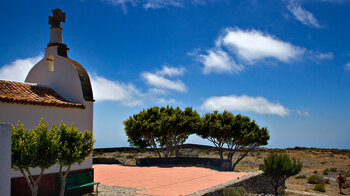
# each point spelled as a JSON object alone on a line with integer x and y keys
{"x": 187, "y": 161}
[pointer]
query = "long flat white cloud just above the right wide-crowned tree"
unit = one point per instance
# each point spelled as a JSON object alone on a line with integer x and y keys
{"x": 245, "y": 104}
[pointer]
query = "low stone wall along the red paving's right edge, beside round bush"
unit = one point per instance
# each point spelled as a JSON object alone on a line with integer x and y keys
{"x": 254, "y": 182}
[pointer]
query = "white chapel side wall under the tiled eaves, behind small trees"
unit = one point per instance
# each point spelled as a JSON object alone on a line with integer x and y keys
{"x": 30, "y": 115}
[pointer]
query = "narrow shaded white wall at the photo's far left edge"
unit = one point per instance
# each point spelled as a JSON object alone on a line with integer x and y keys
{"x": 5, "y": 159}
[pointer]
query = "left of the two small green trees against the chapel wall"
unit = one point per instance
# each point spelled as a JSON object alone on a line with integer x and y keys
{"x": 33, "y": 148}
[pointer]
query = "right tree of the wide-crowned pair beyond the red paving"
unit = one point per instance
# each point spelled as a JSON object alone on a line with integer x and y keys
{"x": 238, "y": 133}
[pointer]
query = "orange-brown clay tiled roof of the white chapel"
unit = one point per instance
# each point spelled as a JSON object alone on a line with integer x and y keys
{"x": 26, "y": 93}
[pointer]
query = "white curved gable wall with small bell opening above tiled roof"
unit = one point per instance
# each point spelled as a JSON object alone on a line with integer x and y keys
{"x": 64, "y": 79}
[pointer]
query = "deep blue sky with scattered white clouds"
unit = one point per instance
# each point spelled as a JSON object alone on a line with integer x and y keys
{"x": 285, "y": 64}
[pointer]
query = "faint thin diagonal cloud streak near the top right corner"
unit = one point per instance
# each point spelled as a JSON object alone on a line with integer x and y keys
{"x": 304, "y": 16}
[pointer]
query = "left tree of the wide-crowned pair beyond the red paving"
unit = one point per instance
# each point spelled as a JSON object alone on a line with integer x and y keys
{"x": 163, "y": 129}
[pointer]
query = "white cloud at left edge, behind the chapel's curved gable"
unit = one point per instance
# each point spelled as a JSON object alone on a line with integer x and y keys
{"x": 18, "y": 69}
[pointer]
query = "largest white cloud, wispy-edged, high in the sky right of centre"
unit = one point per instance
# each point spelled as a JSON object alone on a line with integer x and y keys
{"x": 235, "y": 49}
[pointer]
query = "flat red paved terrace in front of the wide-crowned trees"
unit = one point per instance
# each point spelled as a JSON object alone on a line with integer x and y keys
{"x": 171, "y": 181}
